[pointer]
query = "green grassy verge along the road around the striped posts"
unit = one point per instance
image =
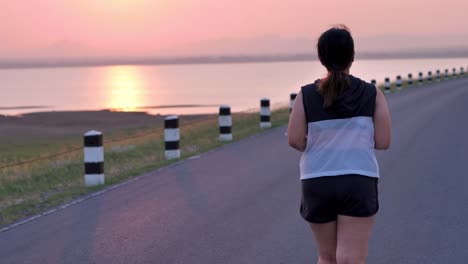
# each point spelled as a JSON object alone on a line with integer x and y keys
{"x": 34, "y": 187}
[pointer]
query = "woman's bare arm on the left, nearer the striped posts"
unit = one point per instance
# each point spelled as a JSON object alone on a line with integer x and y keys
{"x": 297, "y": 126}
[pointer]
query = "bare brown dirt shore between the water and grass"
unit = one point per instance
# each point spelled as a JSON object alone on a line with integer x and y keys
{"x": 61, "y": 125}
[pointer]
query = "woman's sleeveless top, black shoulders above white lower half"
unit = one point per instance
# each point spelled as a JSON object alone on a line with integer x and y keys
{"x": 340, "y": 137}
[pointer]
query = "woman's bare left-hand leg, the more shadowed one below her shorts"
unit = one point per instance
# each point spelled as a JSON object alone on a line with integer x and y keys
{"x": 325, "y": 235}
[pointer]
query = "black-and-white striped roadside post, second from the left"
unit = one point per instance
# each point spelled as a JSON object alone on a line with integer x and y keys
{"x": 171, "y": 137}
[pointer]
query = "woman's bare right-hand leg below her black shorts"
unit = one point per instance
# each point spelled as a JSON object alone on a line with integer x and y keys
{"x": 353, "y": 239}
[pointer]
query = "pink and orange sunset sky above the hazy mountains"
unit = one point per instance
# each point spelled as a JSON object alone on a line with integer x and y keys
{"x": 139, "y": 27}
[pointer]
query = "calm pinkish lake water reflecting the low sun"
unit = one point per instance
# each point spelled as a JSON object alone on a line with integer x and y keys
{"x": 128, "y": 88}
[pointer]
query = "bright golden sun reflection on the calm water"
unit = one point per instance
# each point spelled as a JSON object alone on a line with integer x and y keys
{"x": 125, "y": 88}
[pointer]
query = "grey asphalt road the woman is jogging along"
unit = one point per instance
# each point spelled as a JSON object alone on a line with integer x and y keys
{"x": 240, "y": 203}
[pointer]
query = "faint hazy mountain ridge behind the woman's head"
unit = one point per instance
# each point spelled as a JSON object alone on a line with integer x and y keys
{"x": 281, "y": 45}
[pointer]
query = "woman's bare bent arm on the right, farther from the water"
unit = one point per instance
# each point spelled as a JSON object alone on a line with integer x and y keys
{"x": 382, "y": 123}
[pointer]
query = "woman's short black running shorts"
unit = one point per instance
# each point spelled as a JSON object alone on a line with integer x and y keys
{"x": 324, "y": 198}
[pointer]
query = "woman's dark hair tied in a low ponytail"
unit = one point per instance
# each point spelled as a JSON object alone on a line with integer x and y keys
{"x": 335, "y": 49}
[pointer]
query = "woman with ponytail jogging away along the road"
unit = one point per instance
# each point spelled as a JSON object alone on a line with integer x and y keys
{"x": 337, "y": 122}
